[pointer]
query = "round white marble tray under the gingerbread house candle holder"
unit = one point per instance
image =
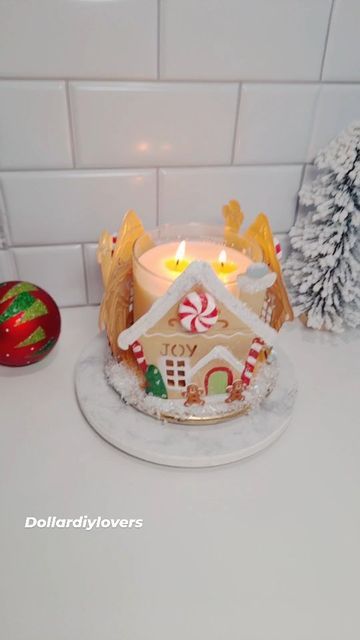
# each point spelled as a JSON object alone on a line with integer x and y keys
{"x": 172, "y": 444}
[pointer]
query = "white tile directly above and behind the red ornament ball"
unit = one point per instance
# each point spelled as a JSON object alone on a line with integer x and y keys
{"x": 58, "y": 270}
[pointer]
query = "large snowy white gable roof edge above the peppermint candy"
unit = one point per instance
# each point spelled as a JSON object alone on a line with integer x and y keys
{"x": 195, "y": 274}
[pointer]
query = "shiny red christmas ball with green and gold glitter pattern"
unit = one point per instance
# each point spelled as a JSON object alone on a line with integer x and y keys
{"x": 29, "y": 323}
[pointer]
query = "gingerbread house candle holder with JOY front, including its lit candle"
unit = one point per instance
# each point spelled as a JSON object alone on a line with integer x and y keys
{"x": 192, "y": 313}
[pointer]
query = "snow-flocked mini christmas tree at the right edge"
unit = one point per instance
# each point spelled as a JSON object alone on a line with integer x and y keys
{"x": 323, "y": 270}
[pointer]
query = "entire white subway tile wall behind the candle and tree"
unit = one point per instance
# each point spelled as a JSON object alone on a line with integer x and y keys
{"x": 170, "y": 108}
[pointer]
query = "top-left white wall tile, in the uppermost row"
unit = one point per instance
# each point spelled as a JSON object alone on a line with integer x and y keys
{"x": 77, "y": 39}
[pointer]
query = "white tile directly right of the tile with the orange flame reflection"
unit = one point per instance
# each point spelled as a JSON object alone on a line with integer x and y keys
{"x": 274, "y": 123}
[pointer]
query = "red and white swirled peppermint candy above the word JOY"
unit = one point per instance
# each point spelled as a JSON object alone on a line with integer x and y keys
{"x": 198, "y": 312}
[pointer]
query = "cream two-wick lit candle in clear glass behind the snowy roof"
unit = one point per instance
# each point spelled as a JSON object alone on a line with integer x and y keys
{"x": 159, "y": 266}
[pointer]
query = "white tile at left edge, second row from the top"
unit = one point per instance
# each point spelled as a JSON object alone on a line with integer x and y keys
{"x": 34, "y": 127}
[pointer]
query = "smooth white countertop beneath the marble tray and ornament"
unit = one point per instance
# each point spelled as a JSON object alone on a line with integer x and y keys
{"x": 263, "y": 549}
